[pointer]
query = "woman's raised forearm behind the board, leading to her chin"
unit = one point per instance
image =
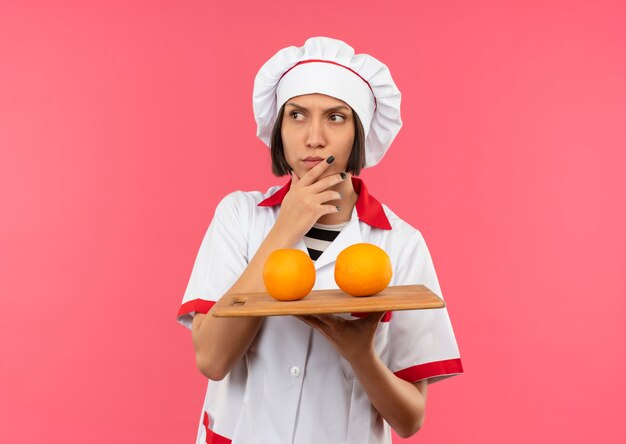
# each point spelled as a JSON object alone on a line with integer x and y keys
{"x": 221, "y": 342}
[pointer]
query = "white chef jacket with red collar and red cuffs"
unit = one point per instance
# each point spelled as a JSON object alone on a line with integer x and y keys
{"x": 292, "y": 386}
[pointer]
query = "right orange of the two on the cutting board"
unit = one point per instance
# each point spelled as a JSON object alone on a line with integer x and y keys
{"x": 363, "y": 270}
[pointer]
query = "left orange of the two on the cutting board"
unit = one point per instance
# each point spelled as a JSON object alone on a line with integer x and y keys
{"x": 288, "y": 274}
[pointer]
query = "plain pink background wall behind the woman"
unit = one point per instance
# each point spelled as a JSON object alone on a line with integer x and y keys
{"x": 123, "y": 123}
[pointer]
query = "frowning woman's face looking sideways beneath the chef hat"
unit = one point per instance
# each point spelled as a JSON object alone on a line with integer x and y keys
{"x": 314, "y": 127}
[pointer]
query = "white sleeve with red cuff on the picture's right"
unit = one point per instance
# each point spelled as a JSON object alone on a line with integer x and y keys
{"x": 422, "y": 342}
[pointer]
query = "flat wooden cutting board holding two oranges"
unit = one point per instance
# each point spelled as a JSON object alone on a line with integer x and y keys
{"x": 401, "y": 297}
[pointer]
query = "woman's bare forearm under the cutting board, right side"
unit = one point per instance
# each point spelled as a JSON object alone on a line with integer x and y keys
{"x": 399, "y": 402}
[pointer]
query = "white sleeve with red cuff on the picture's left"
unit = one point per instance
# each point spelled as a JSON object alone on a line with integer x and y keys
{"x": 220, "y": 261}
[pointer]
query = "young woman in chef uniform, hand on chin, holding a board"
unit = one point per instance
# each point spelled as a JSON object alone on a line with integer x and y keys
{"x": 326, "y": 113}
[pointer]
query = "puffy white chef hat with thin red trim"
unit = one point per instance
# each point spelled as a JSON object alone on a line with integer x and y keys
{"x": 328, "y": 66}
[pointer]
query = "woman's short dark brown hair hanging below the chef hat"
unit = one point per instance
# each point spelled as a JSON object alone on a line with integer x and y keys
{"x": 280, "y": 167}
